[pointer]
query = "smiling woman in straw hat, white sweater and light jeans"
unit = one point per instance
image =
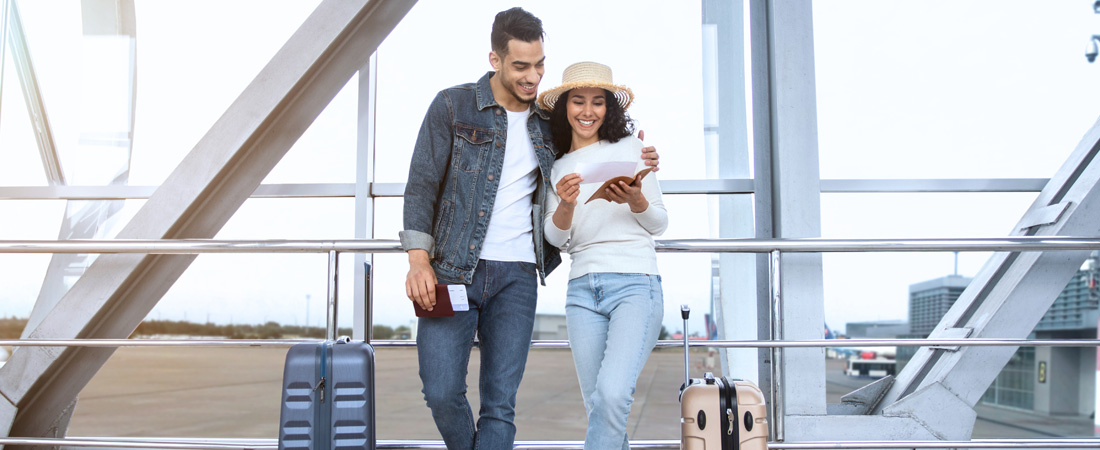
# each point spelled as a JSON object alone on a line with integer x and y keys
{"x": 614, "y": 303}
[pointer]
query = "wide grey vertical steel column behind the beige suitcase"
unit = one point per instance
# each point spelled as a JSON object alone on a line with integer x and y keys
{"x": 795, "y": 196}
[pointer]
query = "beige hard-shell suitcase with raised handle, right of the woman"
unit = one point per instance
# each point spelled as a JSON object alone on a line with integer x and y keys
{"x": 720, "y": 413}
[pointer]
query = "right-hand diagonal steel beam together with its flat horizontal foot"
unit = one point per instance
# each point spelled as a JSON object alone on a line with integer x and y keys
{"x": 936, "y": 394}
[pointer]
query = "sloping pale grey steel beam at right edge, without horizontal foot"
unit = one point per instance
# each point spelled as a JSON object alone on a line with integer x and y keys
{"x": 1011, "y": 293}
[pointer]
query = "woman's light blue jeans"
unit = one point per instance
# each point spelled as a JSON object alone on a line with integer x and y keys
{"x": 614, "y": 322}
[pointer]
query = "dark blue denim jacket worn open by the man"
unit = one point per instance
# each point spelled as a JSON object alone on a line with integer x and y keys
{"x": 454, "y": 179}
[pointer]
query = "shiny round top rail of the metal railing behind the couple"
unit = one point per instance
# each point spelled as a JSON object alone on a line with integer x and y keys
{"x": 692, "y": 246}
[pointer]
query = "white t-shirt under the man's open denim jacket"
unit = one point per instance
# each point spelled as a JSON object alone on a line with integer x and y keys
{"x": 509, "y": 237}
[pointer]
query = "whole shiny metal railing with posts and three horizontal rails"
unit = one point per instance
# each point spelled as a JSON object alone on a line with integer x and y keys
{"x": 774, "y": 247}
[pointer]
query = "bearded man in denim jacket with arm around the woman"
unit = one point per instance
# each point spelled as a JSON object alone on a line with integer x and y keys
{"x": 474, "y": 217}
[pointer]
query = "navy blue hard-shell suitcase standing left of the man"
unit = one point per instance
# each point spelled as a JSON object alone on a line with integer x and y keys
{"x": 328, "y": 397}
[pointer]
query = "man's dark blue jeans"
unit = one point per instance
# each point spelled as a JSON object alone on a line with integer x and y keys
{"x": 502, "y": 313}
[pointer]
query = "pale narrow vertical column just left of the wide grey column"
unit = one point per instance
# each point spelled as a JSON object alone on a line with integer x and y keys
{"x": 728, "y": 142}
